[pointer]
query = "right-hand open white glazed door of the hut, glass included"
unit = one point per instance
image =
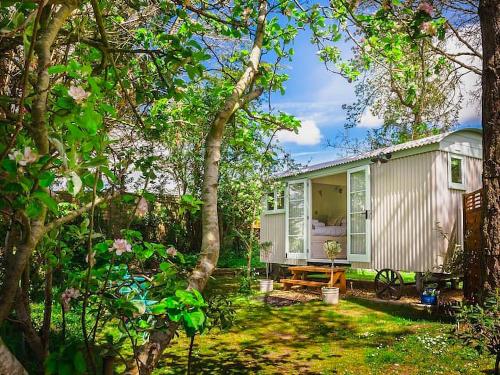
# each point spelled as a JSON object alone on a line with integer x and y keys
{"x": 358, "y": 211}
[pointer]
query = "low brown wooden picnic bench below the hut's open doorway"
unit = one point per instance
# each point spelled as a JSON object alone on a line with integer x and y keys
{"x": 300, "y": 274}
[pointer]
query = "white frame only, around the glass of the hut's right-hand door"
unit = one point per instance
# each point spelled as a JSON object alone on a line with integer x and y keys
{"x": 367, "y": 256}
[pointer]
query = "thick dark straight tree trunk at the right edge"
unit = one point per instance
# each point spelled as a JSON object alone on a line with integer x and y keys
{"x": 489, "y": 15}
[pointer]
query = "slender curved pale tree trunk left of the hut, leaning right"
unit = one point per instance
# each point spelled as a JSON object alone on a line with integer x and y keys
{"x": 150, "y": 353}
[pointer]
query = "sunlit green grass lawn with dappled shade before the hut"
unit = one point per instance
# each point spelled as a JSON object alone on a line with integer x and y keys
{"x": 355, "y": 337}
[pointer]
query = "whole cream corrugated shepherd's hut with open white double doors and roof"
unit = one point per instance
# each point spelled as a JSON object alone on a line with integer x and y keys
{"x": 398, "y": 207}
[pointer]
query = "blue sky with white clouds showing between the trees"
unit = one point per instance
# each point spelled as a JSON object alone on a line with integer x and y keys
{"x": 316, "y": 96}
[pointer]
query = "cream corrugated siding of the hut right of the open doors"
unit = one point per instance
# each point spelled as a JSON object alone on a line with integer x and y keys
{"x": 410, "y": 196}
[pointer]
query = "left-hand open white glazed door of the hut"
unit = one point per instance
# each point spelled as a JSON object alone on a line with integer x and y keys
{"x": 296, "y": 220}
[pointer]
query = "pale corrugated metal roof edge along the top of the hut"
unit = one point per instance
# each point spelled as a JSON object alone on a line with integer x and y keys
{"x": 371, "y": 154}
